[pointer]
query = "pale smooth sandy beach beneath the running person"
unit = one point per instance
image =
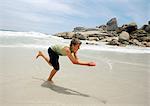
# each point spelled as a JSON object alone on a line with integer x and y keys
{"x": 119, "y": 79}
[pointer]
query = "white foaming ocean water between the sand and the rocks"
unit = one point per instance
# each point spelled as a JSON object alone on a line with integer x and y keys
{"x": 41, "y": 40}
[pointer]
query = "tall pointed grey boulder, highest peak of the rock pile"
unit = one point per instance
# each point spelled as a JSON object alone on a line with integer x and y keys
{"x": 112, "y": 24}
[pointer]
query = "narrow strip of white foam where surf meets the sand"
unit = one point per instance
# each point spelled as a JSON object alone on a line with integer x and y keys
{"x": 96, "y": 48}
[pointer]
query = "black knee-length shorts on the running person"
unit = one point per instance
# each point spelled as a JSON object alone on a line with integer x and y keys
{"x": 53, "y": 59}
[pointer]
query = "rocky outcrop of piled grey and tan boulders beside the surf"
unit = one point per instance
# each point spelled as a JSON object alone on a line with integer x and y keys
{"x": 127, "y": 34}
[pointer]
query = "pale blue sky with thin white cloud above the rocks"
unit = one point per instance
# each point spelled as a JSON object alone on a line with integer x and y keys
{"x": 53, "y": 16}
